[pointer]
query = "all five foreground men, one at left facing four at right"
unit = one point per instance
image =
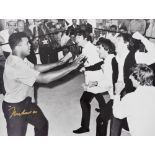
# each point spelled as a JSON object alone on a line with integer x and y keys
{"x": 120, "y": 65}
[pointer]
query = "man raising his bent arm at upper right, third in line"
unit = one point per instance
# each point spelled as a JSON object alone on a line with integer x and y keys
{"x": 128, "y": 55}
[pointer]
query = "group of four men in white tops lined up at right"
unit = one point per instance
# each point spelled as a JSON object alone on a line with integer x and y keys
{"x": 125, "y": 71}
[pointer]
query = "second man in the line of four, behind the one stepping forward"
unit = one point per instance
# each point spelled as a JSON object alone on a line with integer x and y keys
{"x": 107, "y": 53}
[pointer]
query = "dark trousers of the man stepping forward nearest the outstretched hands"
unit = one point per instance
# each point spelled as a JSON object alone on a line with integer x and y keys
{"x": 85, "y": 101}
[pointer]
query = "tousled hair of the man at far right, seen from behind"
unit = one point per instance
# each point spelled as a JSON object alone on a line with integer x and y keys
{"x": 143, "y": 74}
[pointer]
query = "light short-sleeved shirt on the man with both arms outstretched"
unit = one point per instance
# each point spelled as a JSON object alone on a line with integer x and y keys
{"x": 19, "y": 77}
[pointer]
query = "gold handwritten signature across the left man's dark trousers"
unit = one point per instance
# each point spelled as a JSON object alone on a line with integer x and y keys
{"x": 14, "y": 113}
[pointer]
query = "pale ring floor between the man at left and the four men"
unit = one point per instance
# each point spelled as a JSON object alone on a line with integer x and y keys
{"x": 60, "y": 104}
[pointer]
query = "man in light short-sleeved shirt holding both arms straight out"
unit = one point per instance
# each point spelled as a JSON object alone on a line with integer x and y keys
{"x": 19, "y": 78}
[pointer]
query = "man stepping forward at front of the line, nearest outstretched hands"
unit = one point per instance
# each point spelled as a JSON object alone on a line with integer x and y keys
{"x": 93, "y": 75}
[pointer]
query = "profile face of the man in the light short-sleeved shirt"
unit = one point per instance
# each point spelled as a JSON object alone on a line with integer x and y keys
{"x": 24, "y": 46}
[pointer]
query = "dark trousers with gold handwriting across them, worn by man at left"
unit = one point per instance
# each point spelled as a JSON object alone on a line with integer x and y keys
{"x": 18, "y": 115}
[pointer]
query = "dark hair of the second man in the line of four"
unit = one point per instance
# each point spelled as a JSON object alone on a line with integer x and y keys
{"x": 107, "y": 43}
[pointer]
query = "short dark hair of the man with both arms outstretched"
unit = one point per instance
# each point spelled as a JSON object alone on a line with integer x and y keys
{"x": 16, "y": 38}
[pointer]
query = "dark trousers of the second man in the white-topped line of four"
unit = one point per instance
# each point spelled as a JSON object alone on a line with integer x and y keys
{"x": 103, "y": 118}
